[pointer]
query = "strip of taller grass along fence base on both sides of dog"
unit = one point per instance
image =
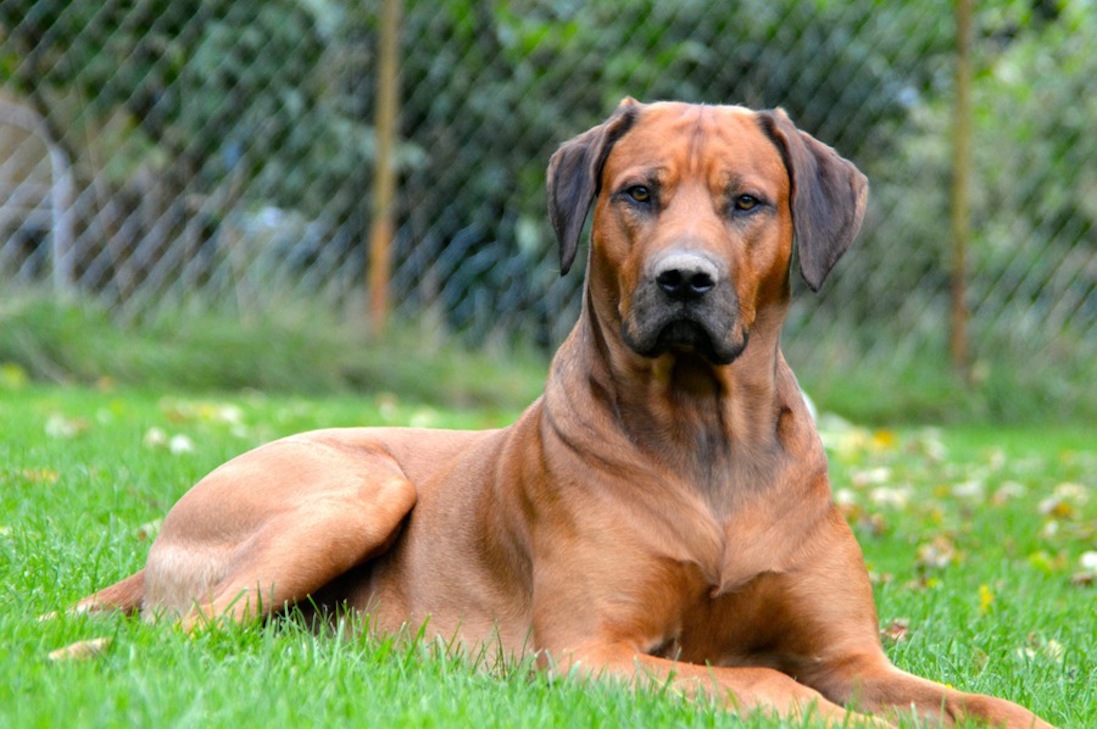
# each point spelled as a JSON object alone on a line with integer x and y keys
{"x": 303, "y": 348}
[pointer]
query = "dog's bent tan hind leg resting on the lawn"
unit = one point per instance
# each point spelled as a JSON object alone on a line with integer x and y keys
{"x": 272, "y": 528}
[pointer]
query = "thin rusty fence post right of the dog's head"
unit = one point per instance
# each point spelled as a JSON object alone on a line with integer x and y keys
{"x": 962, "y": 173}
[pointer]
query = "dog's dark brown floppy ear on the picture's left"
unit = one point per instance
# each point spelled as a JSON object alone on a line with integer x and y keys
{"x": 574, "y": 178}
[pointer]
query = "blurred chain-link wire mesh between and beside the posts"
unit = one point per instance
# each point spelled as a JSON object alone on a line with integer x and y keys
{"x": 222, "y": 152}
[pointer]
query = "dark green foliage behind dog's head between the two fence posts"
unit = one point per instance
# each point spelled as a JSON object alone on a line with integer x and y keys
{"x": 499, "y": 86}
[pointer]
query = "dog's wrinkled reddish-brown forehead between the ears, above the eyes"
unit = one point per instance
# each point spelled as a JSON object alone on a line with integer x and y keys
{"x": 716, "y": 143}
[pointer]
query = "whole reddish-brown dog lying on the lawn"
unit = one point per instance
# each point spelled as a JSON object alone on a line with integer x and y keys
{"x": 663, "y": 510}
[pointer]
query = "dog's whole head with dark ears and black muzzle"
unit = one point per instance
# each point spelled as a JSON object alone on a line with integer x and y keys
{"x": 697, "y": 210}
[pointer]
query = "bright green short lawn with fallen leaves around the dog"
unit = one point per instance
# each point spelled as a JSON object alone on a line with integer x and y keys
{"x": 976, "y": 538}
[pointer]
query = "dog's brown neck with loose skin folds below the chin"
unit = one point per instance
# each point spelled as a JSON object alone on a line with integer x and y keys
{"x": 675, "y": 404}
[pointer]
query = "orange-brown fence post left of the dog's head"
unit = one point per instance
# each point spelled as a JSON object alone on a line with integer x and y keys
{"x": 382, "y": 229}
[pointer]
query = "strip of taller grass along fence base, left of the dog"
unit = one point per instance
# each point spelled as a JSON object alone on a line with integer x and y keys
{"x": 299, "y": 347}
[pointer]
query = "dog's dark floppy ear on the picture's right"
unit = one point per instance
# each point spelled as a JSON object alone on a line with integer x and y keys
{"x": 829, "y": 197}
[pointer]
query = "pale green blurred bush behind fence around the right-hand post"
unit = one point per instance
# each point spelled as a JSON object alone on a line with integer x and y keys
{"x": 1033, "y": 279}
